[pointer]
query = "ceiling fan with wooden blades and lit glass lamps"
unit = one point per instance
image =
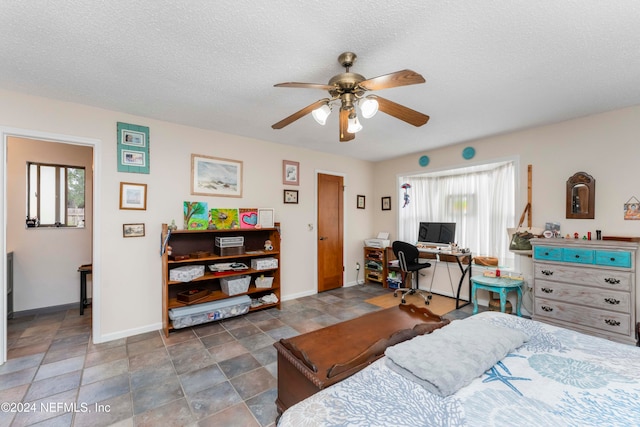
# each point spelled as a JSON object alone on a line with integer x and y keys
{"x": 348, "y": 89}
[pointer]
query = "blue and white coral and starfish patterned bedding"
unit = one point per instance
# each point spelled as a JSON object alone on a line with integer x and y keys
{"x": 558, "y": 377}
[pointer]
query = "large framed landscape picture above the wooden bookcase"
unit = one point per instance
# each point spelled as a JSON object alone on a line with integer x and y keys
{"x": 212, "y": 176}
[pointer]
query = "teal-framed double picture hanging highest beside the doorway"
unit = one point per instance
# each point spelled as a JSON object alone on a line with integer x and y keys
{"x": 133, "y": 148}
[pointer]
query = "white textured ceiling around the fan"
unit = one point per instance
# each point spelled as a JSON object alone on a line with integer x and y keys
{"x": 490, "y": 66}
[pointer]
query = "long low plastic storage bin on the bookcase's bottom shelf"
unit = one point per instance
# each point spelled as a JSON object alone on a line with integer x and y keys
{"x": 202, "y": 313}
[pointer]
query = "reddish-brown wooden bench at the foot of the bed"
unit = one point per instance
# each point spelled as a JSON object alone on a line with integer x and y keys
{"x": 310, "y": 362}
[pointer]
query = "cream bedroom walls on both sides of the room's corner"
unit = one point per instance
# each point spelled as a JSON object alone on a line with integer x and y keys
{"x": 604, "y": 146}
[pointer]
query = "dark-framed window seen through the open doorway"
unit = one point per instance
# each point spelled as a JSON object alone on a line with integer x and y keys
{"x": 55, "y": 195}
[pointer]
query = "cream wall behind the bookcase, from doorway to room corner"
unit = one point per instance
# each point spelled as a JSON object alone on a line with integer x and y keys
{"x": 130, "y": 276}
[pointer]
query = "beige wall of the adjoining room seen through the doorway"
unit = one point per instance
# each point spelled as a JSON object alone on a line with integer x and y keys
{"x": 45, "y": 259}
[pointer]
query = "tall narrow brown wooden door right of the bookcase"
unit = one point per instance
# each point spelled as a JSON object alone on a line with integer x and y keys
{"x": 330, "y": 231}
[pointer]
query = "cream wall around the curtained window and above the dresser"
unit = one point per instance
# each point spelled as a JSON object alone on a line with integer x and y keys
{"x": 604, "y": 146}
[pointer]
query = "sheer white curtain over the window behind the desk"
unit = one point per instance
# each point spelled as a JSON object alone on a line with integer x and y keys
{"x": 479, "y": 199}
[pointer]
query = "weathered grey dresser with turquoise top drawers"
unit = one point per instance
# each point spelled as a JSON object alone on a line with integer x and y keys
{"x": 586, "y": 285}
